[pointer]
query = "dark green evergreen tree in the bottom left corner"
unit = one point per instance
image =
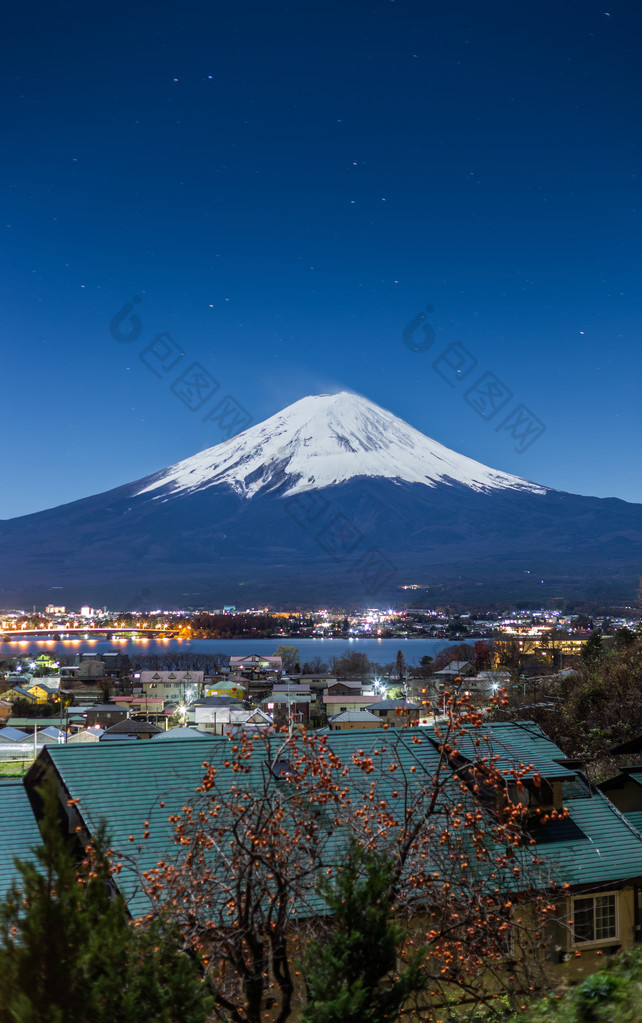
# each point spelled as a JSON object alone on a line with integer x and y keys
{"x": 69, "y": 953}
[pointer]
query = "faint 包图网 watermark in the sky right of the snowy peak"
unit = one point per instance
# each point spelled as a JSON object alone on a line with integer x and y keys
{"x": 488, "y": 395}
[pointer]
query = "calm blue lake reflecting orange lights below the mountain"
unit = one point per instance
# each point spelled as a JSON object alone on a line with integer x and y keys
{"x": 381, "y": 651}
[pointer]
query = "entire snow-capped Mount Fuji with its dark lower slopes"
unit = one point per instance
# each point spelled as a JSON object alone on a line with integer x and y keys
{"x": 332, "y": 502}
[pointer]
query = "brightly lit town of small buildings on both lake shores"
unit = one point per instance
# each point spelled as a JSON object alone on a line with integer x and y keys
{"x": 89, "y": 696}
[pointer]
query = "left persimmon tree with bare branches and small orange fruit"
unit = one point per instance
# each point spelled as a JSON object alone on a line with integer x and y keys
{"x": 254, "y": 841}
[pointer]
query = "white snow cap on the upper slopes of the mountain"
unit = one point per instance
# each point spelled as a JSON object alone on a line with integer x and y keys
{"x": 325, "y": 440}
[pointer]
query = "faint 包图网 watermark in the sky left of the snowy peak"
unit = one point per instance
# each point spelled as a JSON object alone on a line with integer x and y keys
{"x": 190, "y": 382}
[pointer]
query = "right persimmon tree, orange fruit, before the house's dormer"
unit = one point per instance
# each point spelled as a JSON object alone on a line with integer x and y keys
{"x": 470, "y": 887}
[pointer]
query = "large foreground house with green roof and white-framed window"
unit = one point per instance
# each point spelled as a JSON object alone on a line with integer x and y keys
{"x": 592, "y": 850}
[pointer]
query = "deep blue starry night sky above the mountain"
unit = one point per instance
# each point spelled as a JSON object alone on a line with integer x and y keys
{"x": 287, "y": 188}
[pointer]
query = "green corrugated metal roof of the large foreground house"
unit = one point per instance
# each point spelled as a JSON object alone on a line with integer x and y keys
{"x": 125, "y": 784}
